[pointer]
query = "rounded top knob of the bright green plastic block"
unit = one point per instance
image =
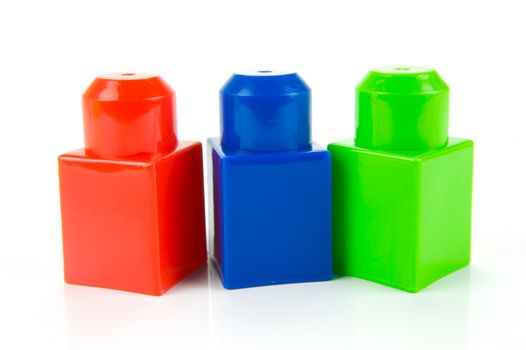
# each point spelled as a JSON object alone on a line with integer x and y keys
{"x": 402, "y": 108}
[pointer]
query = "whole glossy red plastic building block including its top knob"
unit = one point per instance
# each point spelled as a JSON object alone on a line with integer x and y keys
{"x": 132, "y": 200}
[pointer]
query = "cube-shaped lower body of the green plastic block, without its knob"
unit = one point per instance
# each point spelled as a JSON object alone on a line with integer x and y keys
{"x": 404, "y": 219}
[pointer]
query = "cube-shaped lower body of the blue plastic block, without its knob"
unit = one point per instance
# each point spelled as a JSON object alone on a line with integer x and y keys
{"x": 271, "y": 216}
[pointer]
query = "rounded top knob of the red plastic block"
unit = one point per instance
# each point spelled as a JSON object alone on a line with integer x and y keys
{"x": 129, "y": 114}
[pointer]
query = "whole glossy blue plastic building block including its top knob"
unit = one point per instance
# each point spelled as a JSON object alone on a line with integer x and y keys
{"x": 271, "y": 215}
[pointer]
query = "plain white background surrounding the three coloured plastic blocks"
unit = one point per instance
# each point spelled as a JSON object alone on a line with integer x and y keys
{"x": 51, "y": 50}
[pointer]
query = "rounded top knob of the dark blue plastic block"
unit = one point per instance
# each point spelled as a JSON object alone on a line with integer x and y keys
{"x": 265, "y": 111}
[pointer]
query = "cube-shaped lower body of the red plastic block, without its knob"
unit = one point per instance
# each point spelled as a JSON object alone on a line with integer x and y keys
{"x": 136, "y": 225}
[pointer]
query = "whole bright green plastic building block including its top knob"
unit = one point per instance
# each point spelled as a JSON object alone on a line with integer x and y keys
{"x": 402, "y": 204}
